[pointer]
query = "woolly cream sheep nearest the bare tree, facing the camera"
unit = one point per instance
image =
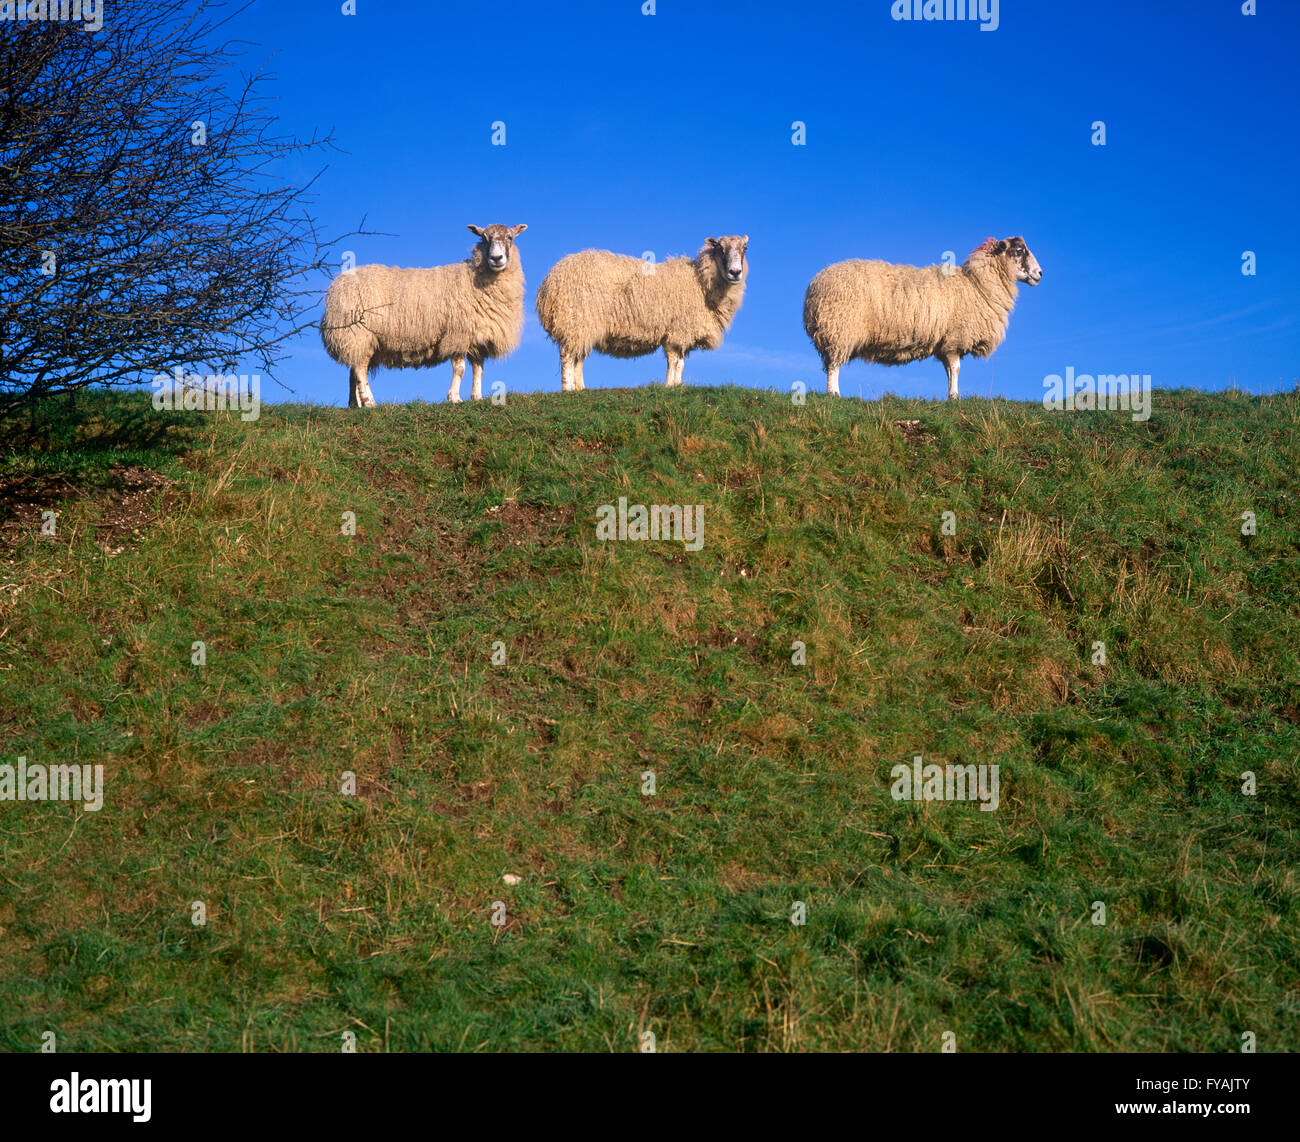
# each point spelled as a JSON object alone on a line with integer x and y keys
{"x": 400, "y": 318}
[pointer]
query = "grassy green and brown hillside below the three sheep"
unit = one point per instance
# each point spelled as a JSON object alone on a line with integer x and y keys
{"x": 668, "y": 914}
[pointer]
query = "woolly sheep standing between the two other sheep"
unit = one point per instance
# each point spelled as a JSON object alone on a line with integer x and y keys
{"x": 627, "y": 308}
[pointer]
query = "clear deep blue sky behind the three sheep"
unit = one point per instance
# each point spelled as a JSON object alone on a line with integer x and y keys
{"x": 651, "y": 133}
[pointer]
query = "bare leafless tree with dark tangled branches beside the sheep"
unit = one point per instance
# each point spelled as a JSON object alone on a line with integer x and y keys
{"x": 145, "y": 218}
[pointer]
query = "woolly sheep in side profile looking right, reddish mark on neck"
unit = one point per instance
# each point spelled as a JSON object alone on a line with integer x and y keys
{"x": 898, "y": 314}
